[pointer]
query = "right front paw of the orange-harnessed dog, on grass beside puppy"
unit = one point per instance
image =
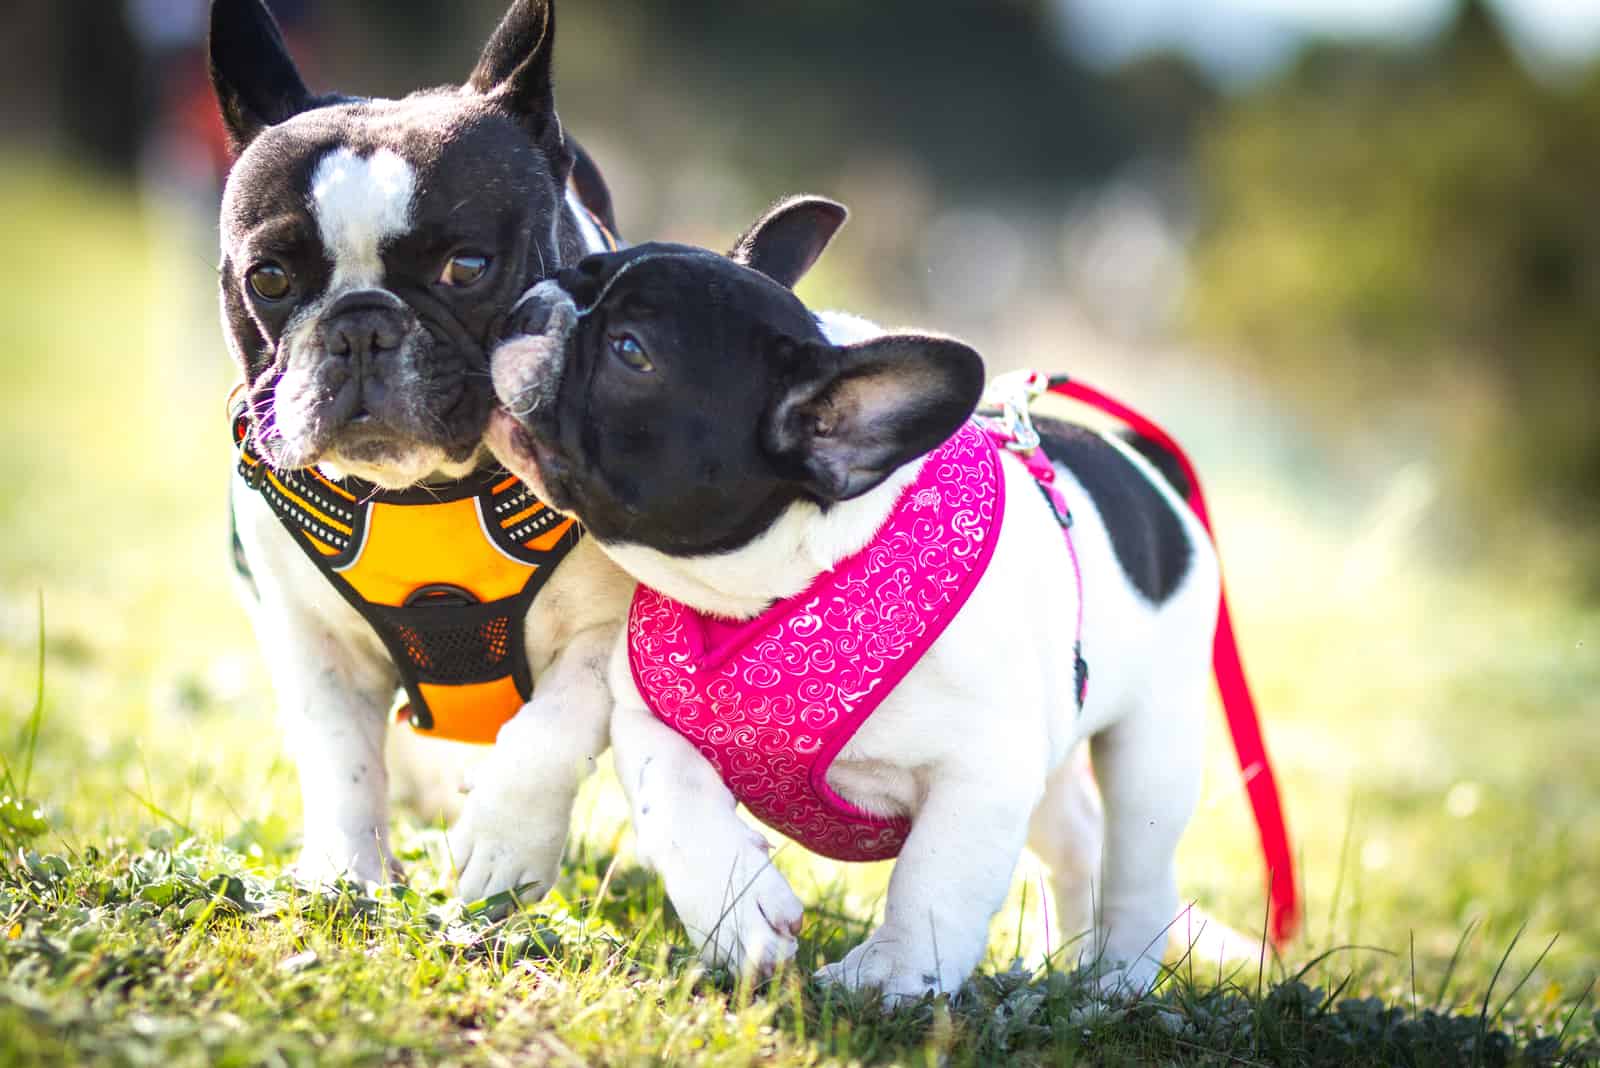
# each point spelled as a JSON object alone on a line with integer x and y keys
{"x": 495, "y": 848}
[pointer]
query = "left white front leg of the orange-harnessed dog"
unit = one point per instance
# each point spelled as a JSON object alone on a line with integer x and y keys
{"x": 334, "y": 704}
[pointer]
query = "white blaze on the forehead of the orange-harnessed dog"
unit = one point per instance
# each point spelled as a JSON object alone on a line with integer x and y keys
{"x": 361, "y": 202}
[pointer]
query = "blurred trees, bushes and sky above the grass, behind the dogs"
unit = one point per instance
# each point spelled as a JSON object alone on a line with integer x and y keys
{"x": 1383, "y": 210}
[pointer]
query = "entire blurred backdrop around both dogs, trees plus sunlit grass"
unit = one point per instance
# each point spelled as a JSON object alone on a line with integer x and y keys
{"x": 1348, "y": 250}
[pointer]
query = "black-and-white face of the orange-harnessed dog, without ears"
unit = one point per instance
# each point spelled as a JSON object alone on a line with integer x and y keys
{"x": 372, "y": 250}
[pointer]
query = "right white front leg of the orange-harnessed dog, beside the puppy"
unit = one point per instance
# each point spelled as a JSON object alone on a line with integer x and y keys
{"x": 519, "y": 807}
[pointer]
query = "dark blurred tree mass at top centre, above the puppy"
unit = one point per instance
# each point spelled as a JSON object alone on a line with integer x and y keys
{"x": 980, "y": 90}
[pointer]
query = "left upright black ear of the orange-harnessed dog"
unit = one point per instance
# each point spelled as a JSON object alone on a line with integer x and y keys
{"x": 255, "y": 79}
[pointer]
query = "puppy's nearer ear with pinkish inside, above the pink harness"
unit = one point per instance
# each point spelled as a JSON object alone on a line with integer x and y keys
{"x": 862, "y": 412}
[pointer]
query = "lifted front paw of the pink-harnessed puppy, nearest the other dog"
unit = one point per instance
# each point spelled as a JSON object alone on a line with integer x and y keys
{"x": 753, "y": 923}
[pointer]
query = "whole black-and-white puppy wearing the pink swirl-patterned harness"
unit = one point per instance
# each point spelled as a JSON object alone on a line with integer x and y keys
{"x": 862, "y": 616}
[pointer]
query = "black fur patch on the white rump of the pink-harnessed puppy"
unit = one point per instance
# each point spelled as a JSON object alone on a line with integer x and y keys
{"x": 1146, "y": 535}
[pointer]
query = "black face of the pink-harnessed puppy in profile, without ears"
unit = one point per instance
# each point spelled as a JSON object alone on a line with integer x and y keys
{"x": 638, "y": 397}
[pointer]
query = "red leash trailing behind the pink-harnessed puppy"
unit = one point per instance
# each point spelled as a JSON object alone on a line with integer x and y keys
{"x": 1238, "y": 703}
